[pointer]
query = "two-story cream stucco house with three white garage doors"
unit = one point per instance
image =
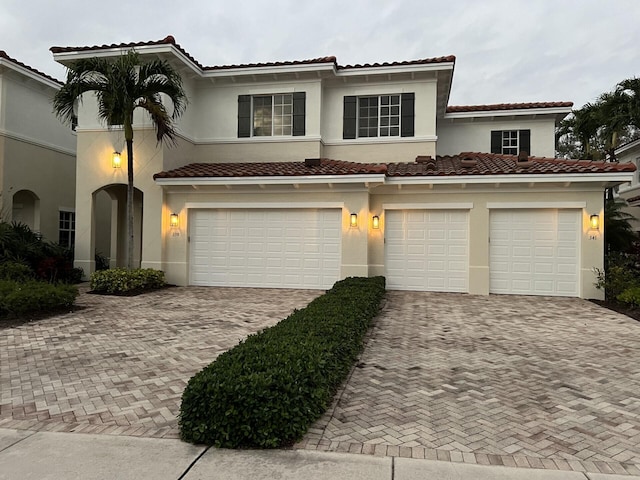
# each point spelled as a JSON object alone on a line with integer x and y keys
{"x": 297, "y": 174}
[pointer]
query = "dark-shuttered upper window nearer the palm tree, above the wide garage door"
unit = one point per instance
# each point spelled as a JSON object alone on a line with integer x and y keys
{"x": 280, "y": 114}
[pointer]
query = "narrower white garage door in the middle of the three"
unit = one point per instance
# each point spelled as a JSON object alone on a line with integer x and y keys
{"x": 427, "y": 250}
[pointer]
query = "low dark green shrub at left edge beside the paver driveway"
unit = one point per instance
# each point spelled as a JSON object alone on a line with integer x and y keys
{"x": 19, "y": 298}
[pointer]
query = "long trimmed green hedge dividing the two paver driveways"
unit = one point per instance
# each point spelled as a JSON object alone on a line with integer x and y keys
{"x": 270, "y": 388}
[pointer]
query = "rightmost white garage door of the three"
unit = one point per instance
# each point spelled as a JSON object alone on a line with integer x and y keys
{"x": 535, "y": 252}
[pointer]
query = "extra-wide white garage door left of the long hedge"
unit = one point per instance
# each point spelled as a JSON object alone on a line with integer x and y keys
{"x": 282, "y": 248}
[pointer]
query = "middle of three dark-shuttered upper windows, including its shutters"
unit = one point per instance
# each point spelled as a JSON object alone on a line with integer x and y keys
{"x": 379, "y": 116}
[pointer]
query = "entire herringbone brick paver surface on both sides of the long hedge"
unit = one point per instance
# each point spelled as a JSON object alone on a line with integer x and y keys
{"x": 510, "y": 380}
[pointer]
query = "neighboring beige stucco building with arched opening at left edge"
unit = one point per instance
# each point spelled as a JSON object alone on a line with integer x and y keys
{"x": 37, "y": 154}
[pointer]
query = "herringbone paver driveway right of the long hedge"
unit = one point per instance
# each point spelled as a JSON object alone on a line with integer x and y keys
{"x": 515, "y": 380}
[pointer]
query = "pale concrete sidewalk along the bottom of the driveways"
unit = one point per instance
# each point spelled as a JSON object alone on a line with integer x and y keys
{"x": 28, "y": 455}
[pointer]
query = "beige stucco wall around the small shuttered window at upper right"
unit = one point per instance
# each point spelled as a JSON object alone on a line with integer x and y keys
{"x": 475, "y": 136}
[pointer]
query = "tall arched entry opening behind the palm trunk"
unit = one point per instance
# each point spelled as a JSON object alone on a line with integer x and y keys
{"x": 110, "y": 220}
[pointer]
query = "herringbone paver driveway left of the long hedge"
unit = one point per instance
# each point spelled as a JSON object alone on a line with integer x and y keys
{"x": 119, "y": 365}
